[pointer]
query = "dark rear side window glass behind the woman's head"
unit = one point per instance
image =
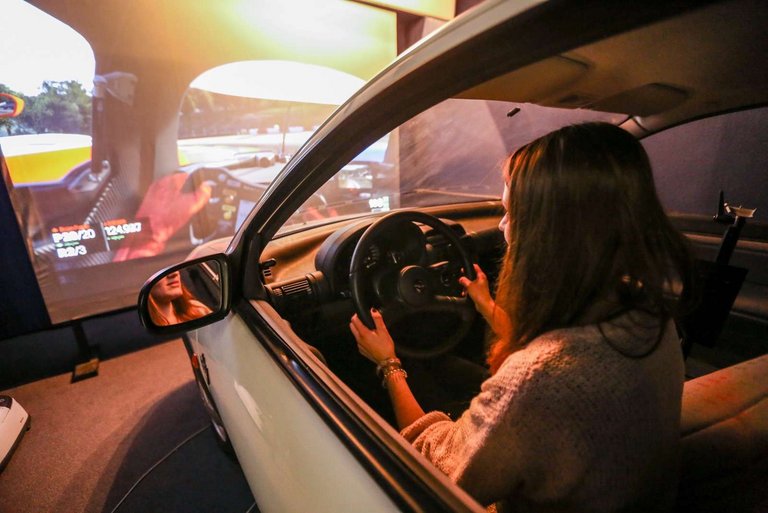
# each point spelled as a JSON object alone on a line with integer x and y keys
{"x": 693, "y": 162}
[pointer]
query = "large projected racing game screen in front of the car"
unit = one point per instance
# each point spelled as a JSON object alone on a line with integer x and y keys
{"x": 113, "y": 176}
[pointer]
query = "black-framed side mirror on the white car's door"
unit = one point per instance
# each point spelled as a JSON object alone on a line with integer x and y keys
{"x": 186, "y": 296}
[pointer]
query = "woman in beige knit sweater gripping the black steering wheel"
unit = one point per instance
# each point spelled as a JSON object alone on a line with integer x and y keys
{"x": 581, "y": 412}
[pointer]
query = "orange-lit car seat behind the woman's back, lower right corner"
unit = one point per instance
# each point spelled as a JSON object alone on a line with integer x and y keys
{"x": 724, "y": 428}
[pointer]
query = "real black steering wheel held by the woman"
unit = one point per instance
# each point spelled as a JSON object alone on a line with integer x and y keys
{"x": 402, "y": 282}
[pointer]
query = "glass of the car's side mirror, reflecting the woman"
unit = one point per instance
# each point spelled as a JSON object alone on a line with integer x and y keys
{"x": 186, "y": 294}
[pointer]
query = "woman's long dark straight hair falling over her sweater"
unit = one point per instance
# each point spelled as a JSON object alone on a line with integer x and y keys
{"x": 586, "y": 225}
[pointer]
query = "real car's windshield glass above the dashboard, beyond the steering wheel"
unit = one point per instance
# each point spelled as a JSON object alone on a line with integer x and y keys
{"x": 450, "y": 153}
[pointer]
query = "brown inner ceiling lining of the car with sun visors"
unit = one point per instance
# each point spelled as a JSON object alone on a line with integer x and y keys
{"x": 706, "y": 61}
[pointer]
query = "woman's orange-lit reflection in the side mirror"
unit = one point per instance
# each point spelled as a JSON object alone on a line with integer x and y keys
{"x": 171, "y": 303}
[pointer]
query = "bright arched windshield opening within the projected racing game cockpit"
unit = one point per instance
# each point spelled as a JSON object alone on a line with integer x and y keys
{"x": 257, "y": 112}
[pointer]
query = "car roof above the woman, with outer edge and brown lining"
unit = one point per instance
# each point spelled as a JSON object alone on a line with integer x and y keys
{"x": 661, "y": 64}
